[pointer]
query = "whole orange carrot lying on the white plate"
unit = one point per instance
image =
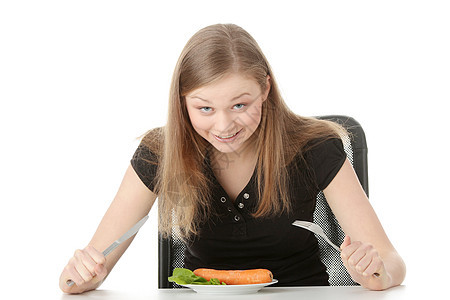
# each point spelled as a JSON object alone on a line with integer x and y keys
{"x": 251, "y": 276}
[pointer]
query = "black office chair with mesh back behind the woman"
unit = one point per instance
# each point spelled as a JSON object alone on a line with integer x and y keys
{"x": 171, "y": 250}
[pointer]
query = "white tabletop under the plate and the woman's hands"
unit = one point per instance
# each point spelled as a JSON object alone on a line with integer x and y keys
{"x": 276, "y": 293}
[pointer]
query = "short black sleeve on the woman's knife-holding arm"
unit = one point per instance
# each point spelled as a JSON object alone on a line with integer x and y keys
{"x": 145, "y": 164}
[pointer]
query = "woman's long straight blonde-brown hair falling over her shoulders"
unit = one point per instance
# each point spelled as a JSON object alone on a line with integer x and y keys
{"x": 182, "y": 185}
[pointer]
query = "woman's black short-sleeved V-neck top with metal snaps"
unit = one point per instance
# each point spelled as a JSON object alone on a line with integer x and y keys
{"x": 234, "y": 239}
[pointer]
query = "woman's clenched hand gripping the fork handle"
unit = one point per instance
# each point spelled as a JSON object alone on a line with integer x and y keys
{"x": 364, "y": 264}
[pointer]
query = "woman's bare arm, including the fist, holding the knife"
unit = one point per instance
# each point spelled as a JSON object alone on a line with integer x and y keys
{"x": 88, "y": 267}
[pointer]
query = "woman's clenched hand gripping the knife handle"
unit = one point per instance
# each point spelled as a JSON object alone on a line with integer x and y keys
{"x": 86, "y": 269}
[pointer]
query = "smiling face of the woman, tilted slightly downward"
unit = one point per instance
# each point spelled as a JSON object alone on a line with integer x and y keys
{"x": 227, "y": 112}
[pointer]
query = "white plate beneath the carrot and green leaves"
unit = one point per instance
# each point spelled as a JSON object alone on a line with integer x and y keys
{"x": 228, "y": 289}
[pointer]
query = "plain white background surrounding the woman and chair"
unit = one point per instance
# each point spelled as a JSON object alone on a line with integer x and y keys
{"x": 80, "y": 81}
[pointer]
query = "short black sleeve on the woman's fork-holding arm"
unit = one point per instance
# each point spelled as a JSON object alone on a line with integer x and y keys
{"x": 326, "y": 159}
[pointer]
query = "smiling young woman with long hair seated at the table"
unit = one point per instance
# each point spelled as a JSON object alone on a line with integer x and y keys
{"x": 232, "y": 169}
